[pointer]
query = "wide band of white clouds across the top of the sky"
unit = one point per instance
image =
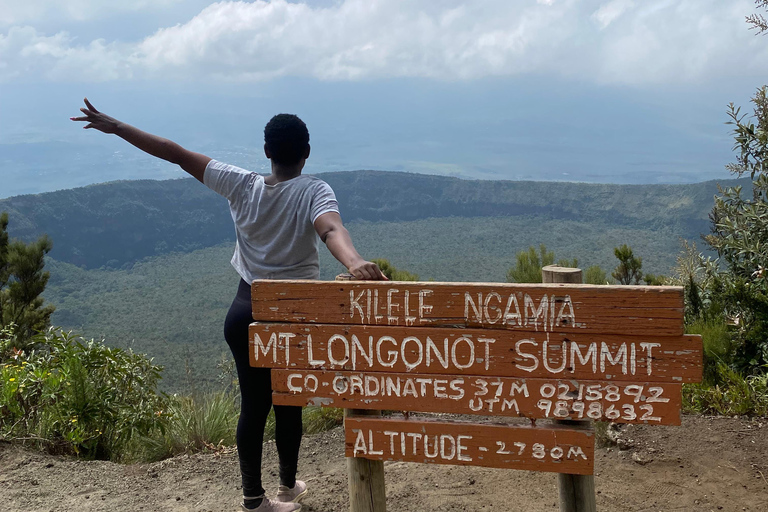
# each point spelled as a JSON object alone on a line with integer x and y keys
{"x": 620, "y": 41}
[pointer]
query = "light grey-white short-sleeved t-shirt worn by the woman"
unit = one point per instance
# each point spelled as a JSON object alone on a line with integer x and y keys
{"x": 274, "y": 224}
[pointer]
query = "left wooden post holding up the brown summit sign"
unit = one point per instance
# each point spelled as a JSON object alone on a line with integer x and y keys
{"x": 365, "y": 477}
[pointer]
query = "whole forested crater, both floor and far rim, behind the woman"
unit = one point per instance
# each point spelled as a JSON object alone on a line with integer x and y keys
{"x": 145, "y": 263}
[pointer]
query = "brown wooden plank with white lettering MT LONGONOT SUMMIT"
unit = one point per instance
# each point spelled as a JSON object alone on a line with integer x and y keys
{"x": 501, "y": 353}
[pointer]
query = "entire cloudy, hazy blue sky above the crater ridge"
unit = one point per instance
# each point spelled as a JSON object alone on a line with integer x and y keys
{"x": 618, "y": 91}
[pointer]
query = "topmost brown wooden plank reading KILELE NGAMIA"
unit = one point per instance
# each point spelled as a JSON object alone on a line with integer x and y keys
{"x": 636, "y": 310}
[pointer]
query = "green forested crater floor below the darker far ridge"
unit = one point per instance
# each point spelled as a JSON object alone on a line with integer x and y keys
{"x": 172, "y": 307}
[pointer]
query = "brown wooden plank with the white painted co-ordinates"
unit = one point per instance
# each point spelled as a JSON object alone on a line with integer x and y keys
{"x": 655, "y": 404}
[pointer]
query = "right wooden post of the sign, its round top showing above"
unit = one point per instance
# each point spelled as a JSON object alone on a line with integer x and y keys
{"x": 577, "y": 492}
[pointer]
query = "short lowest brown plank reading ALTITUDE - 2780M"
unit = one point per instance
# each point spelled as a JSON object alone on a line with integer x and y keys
{"x": 554, "y": 449}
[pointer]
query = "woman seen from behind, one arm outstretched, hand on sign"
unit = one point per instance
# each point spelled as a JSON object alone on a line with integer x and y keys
{"x": 278, "y": 219}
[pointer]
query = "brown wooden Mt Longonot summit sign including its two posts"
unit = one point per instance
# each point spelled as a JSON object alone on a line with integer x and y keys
{"x": 553, "y": 351}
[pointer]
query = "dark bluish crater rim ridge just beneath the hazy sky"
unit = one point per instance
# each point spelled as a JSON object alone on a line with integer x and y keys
{"x": 117, "y": 223}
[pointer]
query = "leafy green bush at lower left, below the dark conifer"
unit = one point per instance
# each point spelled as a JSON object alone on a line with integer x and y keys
{"x": 74, "y": 396}
